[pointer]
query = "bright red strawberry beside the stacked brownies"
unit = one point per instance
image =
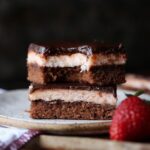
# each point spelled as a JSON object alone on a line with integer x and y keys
{"x": 131, "y": 120}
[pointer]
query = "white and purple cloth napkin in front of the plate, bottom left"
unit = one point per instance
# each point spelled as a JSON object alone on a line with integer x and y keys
{"x": 13, "y": 138}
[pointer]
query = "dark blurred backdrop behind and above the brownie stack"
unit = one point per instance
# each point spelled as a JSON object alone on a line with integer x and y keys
{"x": 25, "y": 21}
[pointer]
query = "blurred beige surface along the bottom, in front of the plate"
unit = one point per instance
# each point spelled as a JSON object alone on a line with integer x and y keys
{"x": 53, "y": 142}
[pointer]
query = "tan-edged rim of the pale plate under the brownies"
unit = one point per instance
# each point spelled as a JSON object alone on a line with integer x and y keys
{"x": 98, "y": 125}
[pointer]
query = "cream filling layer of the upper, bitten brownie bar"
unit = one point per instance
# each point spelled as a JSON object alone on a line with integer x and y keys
{"x": 76, "y": 59}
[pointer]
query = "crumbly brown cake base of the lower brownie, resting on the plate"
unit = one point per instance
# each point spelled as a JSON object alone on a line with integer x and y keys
{"x": 65, "y": 110}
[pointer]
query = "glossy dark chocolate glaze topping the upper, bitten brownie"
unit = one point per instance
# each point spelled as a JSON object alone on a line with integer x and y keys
{"x": 68, "y": 48}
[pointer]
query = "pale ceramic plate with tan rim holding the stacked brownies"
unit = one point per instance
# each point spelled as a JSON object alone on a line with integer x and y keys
{"x": 14, "y": 106}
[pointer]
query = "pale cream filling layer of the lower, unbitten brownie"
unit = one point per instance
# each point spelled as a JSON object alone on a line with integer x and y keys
{"x": 73, "y": 96}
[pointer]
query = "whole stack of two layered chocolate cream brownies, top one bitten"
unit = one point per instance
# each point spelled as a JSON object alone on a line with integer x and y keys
{"x": 74, "y": 80}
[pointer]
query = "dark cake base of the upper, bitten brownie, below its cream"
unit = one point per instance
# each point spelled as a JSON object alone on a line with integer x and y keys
{"x": 102, "y": 75}
